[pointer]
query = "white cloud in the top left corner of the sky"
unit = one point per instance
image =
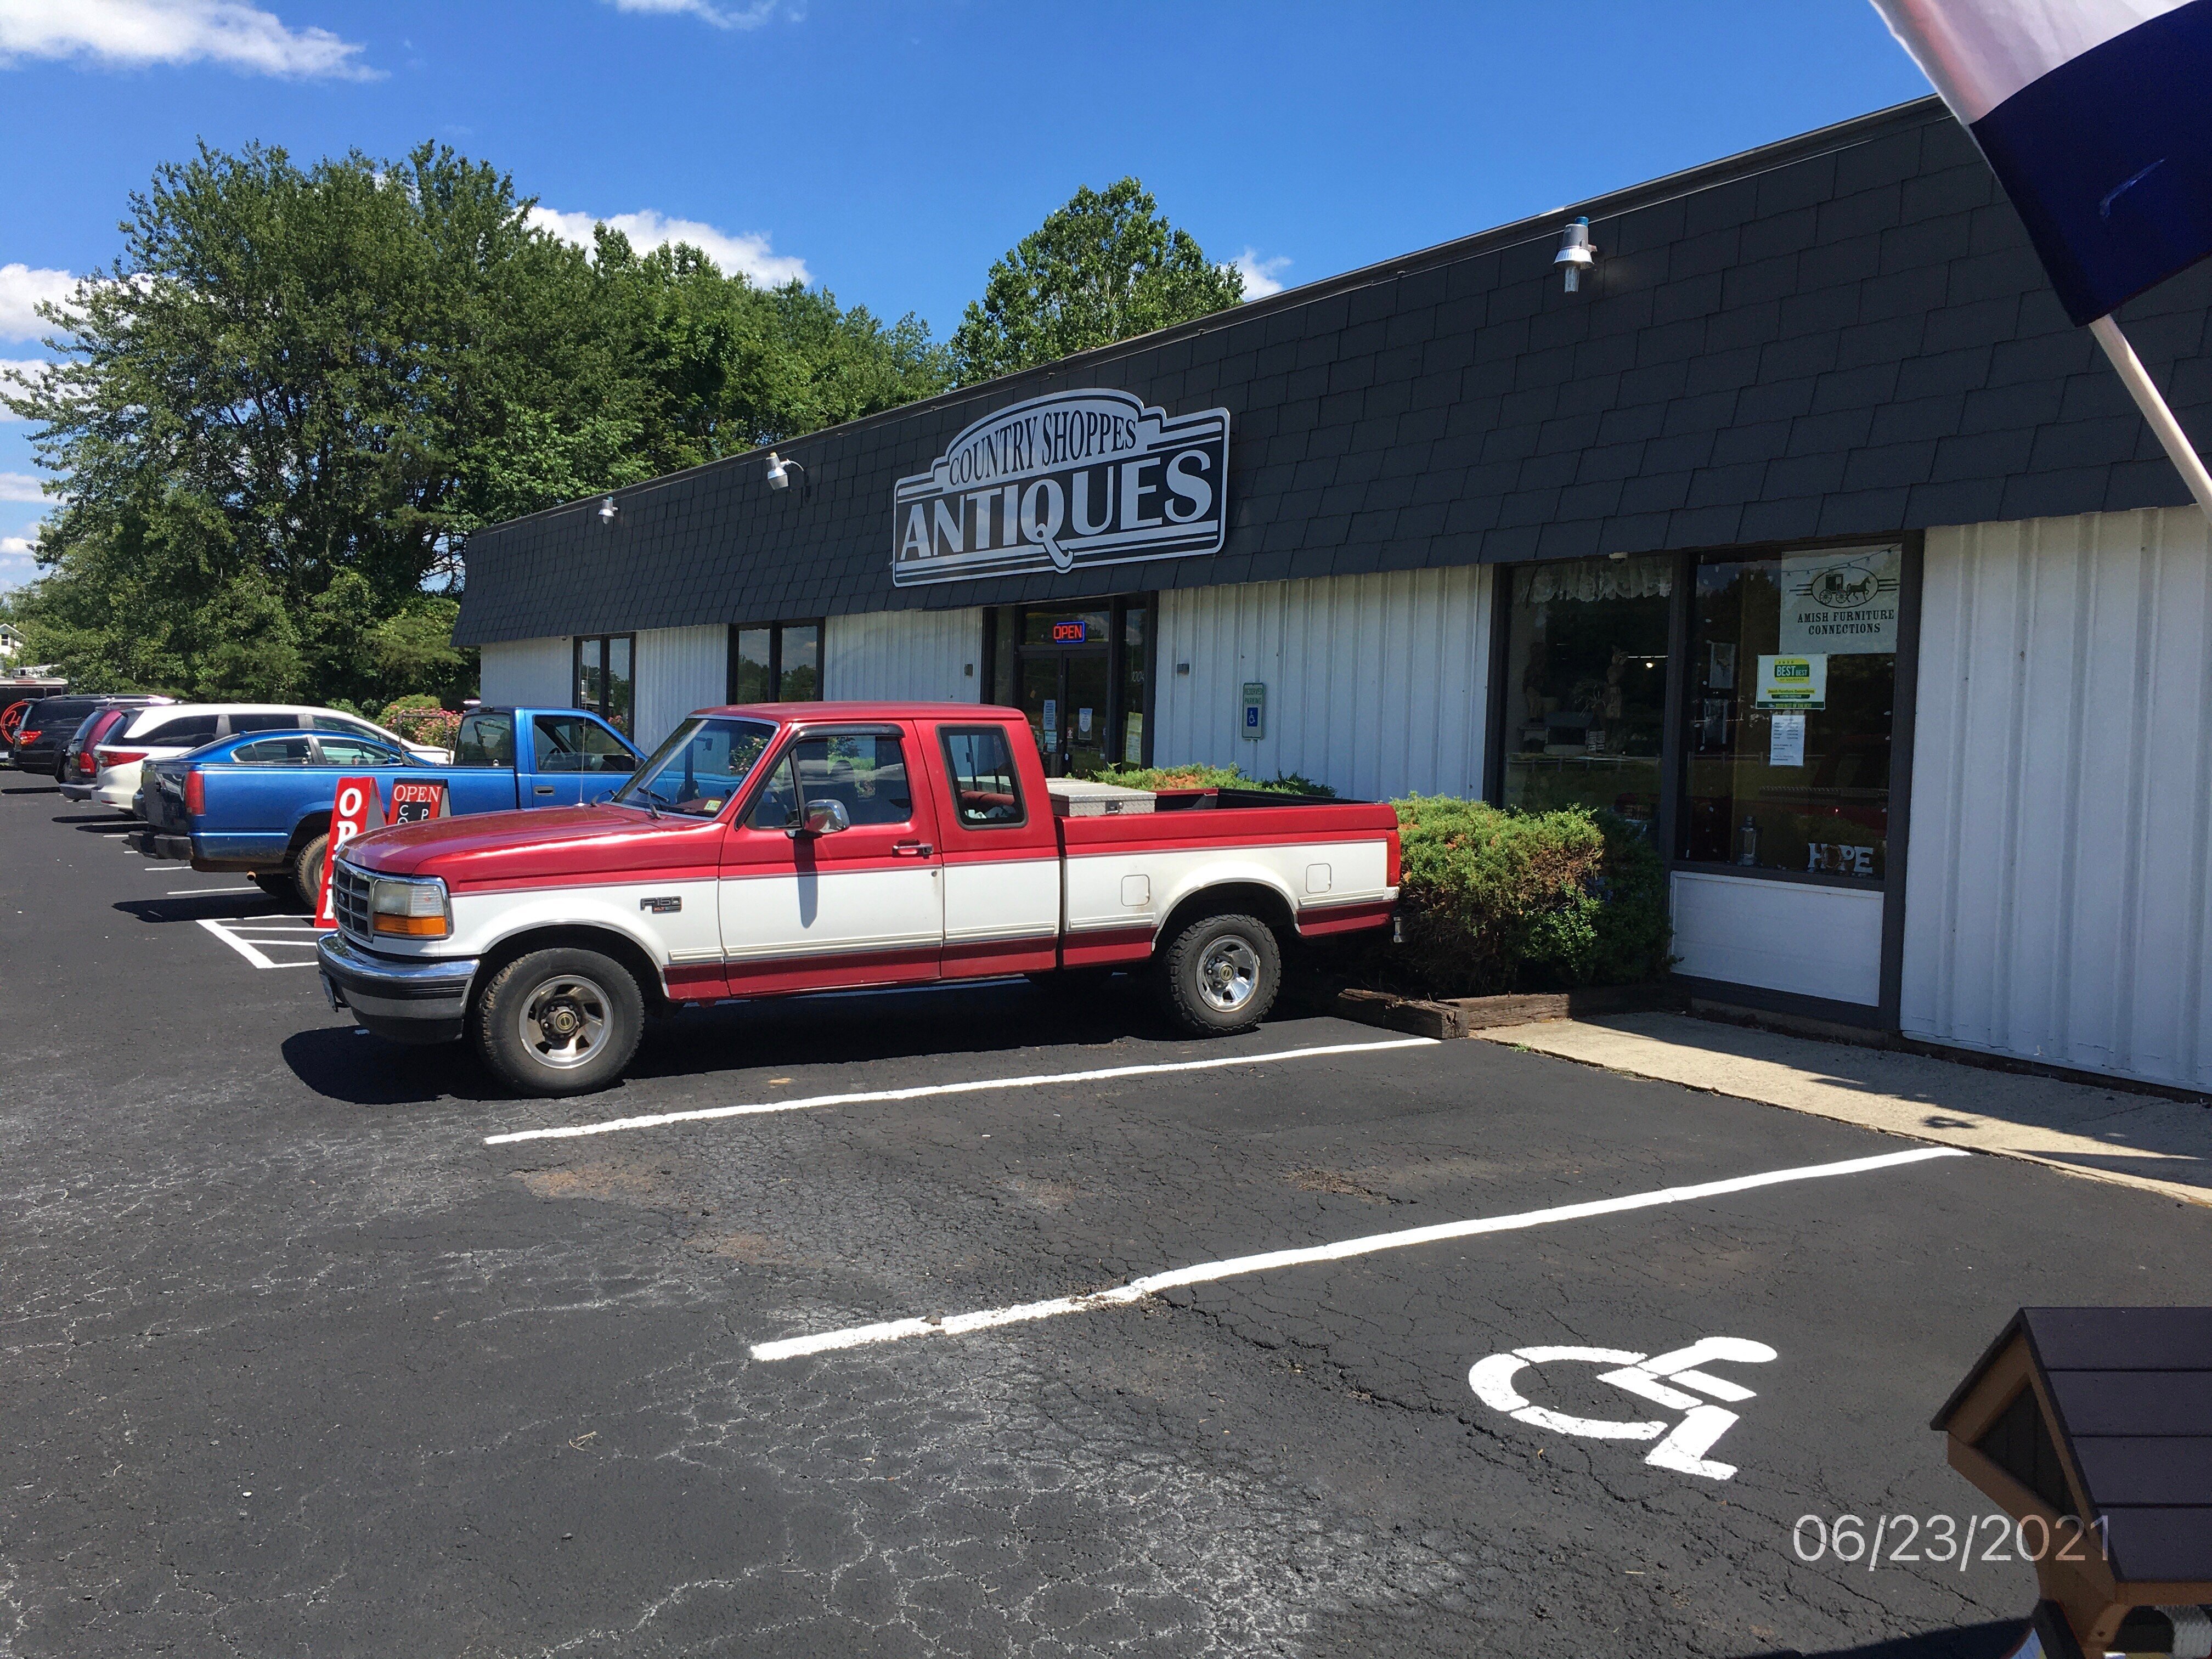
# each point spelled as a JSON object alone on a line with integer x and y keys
{"x": 134, "y": 34}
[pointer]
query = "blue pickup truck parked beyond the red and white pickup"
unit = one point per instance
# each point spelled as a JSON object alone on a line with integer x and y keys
{"x": 262, "y": 804}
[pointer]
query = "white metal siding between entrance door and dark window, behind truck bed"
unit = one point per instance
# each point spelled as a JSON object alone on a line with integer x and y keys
{"x": 1377, "y": 685}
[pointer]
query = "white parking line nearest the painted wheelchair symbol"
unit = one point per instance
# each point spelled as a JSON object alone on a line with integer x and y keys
{"x": 1273, "y": 1260}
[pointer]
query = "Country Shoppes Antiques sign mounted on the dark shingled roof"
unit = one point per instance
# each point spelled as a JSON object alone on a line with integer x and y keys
{"x": 1065, "y": 481}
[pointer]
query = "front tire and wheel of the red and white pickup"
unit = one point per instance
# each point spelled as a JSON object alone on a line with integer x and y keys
{"x": 559, "y": 1023}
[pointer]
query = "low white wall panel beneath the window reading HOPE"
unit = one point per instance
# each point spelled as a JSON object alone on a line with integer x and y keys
{"x": 1780, "y": 935}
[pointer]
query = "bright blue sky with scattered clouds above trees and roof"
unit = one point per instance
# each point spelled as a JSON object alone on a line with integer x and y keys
{"x": 893, "y": 152}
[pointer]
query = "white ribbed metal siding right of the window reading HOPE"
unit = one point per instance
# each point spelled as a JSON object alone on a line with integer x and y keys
{"x": 2063, "y": 780}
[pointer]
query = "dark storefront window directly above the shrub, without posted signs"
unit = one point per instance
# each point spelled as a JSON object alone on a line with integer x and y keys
{"x": 1587, "y": 687}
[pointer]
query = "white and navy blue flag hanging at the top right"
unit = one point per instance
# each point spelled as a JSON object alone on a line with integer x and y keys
{"x": 2098, "y": 123}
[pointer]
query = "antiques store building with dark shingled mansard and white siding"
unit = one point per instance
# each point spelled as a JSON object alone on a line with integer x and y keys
{"x": 1804, "y": 532}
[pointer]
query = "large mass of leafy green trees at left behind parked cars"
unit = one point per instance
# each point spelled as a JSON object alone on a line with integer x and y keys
{"x": 298, "y": 390}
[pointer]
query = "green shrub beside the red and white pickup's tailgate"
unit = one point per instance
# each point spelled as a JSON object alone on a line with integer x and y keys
{"x": 1503, "y": 901}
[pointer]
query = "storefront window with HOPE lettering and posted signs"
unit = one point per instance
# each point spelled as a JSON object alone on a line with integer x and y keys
{"x": 1793, "y": 691}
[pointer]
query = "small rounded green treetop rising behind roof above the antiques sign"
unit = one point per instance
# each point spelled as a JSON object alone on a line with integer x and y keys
{"x": 1098, "y": 271}
